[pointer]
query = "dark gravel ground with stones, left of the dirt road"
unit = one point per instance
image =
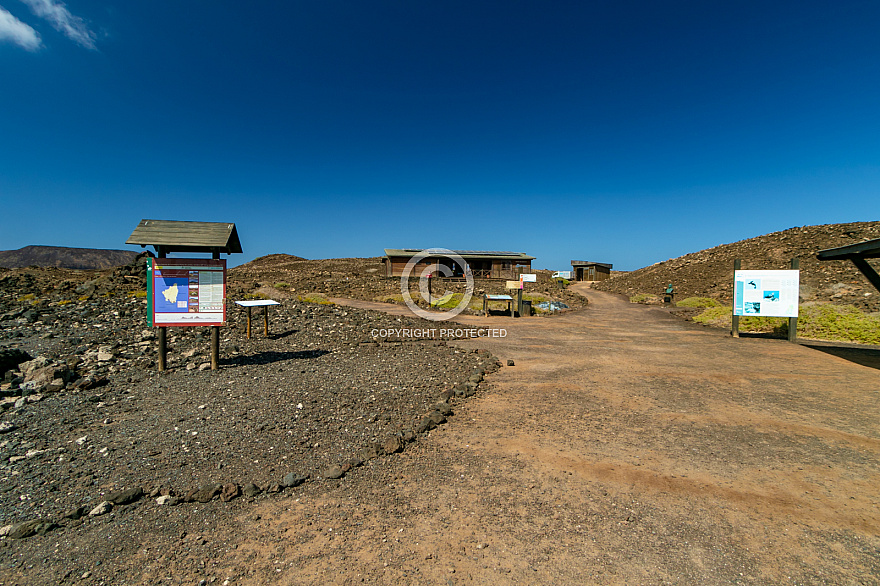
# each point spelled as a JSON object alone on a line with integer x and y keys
{"x": 89, "y": 421}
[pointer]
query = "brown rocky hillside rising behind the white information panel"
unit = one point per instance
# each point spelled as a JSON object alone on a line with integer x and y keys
{"x": 709, "y": 273}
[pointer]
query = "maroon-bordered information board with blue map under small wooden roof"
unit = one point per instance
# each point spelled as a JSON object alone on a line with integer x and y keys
{"x": 186, "y": 292}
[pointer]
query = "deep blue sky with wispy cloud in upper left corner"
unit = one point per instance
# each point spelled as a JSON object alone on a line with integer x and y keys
{"x": 622, "y": 131}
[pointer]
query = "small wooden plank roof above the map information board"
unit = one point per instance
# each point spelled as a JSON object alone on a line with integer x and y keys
{"x": 176, "y": 236}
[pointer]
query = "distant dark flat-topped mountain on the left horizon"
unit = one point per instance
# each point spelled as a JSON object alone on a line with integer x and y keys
{"x": 65, "y": 258}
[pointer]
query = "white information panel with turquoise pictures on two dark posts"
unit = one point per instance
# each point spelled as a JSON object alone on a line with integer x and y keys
{"x": 768, "y": 293}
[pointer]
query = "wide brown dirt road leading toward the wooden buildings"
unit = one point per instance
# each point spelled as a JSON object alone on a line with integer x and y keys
{"x": 624, "y": 447}
